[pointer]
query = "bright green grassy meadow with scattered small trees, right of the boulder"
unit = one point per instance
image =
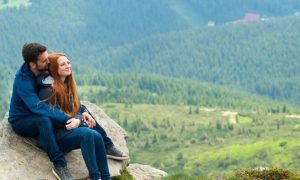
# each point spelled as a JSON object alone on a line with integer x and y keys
{"x": 175, "y": 139}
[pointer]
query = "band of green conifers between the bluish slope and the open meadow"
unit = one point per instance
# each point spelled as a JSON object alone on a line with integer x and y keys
{"x": 154, "y": 89}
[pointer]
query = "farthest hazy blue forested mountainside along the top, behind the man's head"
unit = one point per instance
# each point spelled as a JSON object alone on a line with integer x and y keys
{"x": 82, "y": 27}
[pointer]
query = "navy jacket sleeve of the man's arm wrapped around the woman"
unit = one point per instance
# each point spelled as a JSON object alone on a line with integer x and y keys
{"x": 29, "y": 95}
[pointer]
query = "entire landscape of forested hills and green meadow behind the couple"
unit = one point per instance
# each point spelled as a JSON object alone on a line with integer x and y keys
{"x": 201, "y": 100}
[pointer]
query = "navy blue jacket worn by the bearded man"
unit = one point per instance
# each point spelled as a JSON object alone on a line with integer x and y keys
{"x": 25, "y": 101}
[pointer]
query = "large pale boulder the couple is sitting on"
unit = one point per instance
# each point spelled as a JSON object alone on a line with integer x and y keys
{"x": 19, "y": 159}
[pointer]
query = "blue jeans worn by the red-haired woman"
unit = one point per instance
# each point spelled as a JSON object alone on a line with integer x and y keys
{"x": 92, "y": 146}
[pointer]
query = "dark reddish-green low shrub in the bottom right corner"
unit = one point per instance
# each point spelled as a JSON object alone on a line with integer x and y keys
{"x": 273, "y": 173}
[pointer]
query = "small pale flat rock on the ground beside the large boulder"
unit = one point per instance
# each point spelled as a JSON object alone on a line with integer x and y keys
{"x": 145, "y": 172}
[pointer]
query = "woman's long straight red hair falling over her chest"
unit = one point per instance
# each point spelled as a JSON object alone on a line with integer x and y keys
{"x": 64, "y": 94}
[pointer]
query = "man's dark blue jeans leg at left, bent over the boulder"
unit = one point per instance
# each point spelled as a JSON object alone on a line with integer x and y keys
{"x": 40, "y": 127}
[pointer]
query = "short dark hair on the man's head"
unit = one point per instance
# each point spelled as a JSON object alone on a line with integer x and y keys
{"x": 31, "y": 51}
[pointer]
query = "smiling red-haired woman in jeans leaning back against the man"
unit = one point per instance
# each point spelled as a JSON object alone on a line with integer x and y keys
{"x": 59, "y": 89}
